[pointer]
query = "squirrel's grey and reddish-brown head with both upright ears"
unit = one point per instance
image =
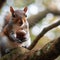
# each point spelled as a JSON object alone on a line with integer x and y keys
{"x": 18, "y": 16}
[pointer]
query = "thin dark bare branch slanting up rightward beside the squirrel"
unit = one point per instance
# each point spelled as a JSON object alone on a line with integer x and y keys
{"x": 46, "y": 29}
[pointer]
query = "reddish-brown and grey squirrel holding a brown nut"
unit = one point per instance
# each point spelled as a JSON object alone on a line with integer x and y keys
{"x": 16, "y": 31}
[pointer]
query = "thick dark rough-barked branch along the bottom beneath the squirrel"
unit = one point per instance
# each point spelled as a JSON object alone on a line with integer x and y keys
{"x": 49, "y": 52}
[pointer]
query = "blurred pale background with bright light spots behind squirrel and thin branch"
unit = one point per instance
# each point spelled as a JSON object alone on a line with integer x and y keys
{"x": 40, "y": 14}
